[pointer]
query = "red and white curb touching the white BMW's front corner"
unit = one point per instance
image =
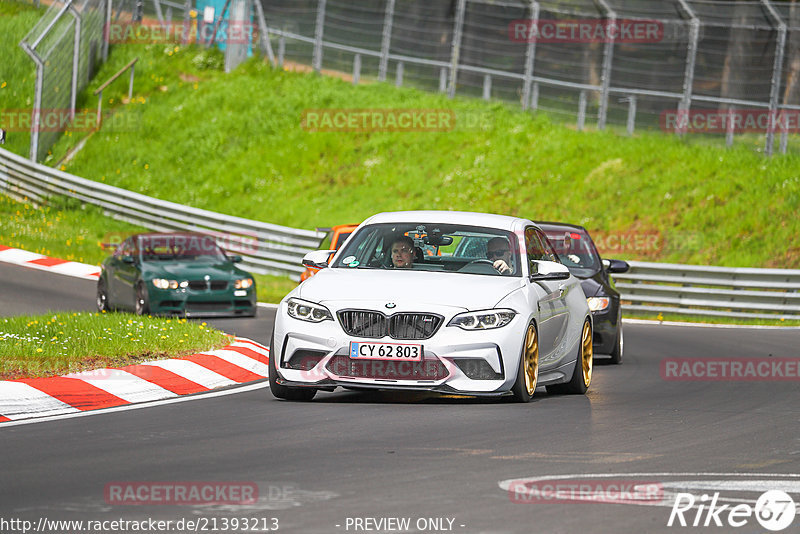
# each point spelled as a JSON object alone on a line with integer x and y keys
{"x": 240, "y": 362}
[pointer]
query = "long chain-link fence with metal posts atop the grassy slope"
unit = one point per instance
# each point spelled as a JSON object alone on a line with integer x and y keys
{"x": 717, "y": 68}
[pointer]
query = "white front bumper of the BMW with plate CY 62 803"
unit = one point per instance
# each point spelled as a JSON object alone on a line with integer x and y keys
{"x": 454, "y": 360}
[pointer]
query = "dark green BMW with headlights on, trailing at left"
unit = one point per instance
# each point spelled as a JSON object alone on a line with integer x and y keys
{"x": 175, "y": 274}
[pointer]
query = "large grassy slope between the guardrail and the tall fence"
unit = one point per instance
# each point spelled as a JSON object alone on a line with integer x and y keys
{"x": 233, "y": 143}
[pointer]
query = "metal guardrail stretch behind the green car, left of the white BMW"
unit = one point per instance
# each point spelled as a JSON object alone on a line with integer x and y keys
{"x": 269, "y": 248}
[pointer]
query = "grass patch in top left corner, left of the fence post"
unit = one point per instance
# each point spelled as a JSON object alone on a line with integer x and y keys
{"x": 17, "y": 70}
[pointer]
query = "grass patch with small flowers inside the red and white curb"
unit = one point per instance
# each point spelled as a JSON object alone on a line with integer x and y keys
{"x": 66, "y": 342}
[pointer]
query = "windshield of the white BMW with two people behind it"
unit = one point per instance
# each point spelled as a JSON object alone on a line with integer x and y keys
{"x": 424, "y": 246}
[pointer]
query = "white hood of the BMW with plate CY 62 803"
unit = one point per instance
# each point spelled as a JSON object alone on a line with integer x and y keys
{"x": 407, "y": 289}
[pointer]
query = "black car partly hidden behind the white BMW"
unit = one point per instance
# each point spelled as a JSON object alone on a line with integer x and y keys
{"x": 576, "y": 250}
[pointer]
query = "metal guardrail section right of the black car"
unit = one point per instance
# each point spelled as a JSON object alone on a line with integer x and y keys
{"x": 713, "y": 291}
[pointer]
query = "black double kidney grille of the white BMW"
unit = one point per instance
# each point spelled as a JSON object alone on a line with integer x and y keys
{"x": 404, "y": 325}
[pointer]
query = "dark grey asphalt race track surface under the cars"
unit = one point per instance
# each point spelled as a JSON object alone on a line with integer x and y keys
{"x": 348, "y": 456}
